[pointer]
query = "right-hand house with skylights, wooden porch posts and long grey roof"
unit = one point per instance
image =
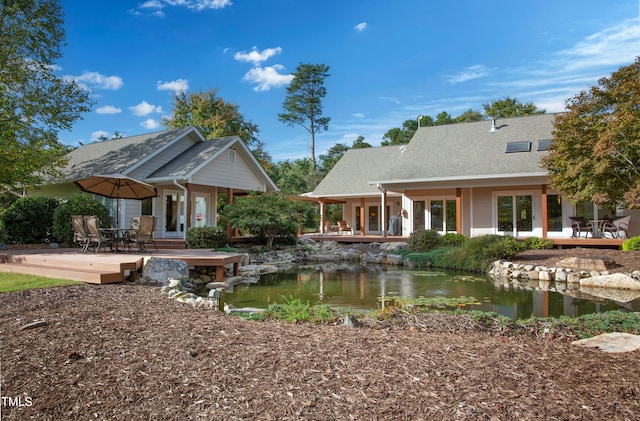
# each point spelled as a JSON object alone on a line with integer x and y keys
{"x": 470, "y": 178}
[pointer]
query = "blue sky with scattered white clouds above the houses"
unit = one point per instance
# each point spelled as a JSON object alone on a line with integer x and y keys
{"x": 389, "y": 61}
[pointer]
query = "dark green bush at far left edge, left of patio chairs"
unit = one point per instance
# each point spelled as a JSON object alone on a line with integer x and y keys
{"x": 29, "y": 220}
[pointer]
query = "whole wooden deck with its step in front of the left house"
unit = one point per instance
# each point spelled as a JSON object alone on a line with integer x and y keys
{"x": 104, "y": 267}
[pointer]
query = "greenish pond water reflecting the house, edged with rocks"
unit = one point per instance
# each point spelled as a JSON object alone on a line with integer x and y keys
{"x": 374, "y": 287}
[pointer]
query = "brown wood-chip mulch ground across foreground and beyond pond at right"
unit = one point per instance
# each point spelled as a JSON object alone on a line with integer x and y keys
{"x": 127, "y": 352}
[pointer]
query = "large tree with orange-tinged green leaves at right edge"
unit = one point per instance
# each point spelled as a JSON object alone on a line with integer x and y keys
{"x": 595, "y": 153}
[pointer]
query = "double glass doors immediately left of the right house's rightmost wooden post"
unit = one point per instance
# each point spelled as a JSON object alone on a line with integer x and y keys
{"x": 515, "y": 215}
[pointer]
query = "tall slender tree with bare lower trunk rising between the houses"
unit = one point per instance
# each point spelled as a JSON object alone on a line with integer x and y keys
{"x": 303, "y": 103}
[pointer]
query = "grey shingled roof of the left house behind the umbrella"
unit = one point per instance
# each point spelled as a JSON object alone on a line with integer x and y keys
{"x": 121, "y": 155}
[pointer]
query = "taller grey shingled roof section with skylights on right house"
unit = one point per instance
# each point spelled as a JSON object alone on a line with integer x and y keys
{"x": 472, "y": 151}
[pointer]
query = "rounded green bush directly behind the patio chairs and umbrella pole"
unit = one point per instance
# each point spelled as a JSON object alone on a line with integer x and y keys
{"x": 77, "y": 204}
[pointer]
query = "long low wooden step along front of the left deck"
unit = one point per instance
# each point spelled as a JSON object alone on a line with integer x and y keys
{"x": 72, "y": 274}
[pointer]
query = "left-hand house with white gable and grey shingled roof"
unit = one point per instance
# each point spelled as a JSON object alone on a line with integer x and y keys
{"x": 188, "y": 171}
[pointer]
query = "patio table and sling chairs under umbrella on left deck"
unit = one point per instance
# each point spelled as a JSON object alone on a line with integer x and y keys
{"x": 88, "y": 234}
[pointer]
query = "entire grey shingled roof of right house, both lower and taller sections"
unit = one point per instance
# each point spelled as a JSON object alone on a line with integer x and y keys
{"x": 460, "y": 153}
